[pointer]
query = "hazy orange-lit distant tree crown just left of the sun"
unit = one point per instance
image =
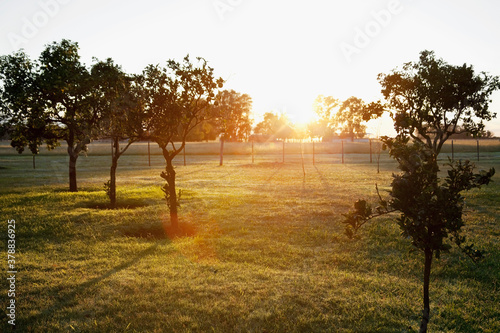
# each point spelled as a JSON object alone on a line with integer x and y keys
{"x": 234, "y": 115}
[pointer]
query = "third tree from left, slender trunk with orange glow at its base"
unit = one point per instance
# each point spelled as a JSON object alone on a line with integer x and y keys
{"x": 177, "y": 99}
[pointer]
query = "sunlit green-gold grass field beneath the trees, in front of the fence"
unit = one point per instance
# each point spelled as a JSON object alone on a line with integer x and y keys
{"x": 265, "y": 250}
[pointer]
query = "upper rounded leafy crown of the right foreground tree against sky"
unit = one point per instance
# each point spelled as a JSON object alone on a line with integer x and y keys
{"x": 432, "y": 100}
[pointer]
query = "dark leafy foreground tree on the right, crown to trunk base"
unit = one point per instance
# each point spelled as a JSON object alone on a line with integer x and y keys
{"x": 429, "y": 100}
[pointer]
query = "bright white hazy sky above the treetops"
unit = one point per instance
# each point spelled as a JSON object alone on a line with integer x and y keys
{"x": 283, "y": 53}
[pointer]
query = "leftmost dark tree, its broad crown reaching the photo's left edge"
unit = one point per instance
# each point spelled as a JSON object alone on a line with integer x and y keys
{"x": 49, "y": 100}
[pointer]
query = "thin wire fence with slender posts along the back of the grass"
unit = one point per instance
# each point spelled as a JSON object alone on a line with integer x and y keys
{"x": 345, "y": 151}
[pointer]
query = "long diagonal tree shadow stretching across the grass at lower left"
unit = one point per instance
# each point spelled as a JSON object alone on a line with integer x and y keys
{"x": 67, "y": 299}
